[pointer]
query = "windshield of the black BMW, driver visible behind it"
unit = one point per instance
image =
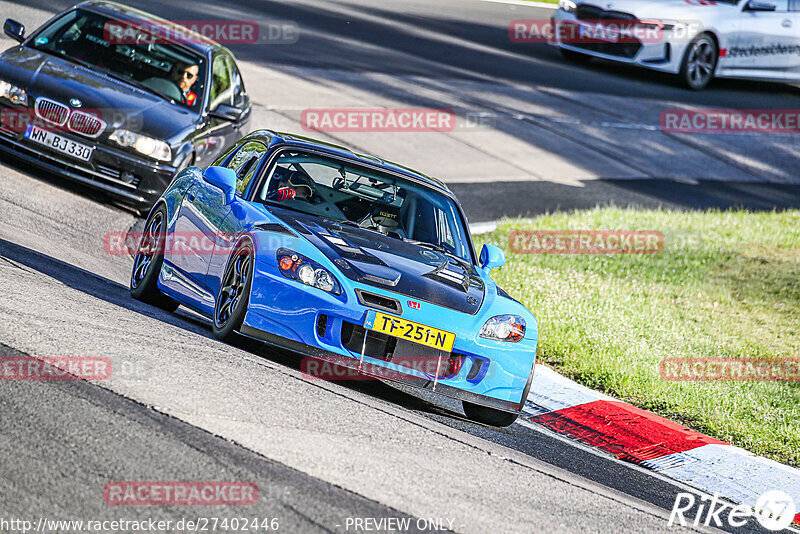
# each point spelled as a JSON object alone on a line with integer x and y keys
{"x": 141, "y": 56}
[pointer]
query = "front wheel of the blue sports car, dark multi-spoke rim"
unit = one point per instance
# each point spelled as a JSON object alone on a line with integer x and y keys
{"x": 234, "y": 294}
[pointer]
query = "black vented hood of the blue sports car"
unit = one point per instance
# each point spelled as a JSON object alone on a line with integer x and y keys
{"x": 388, "y": 263}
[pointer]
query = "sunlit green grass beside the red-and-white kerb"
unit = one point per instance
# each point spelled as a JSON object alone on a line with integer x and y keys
{"x": 727, "y": 284}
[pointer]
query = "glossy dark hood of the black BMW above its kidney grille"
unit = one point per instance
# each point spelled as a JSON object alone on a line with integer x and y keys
{"x": 119, "y": 104}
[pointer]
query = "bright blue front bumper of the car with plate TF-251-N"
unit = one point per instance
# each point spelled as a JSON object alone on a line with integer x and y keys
{"x": 286, "y": 313}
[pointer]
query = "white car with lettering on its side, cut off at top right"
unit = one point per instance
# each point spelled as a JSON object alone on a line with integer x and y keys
{"x": 696, "y": 39}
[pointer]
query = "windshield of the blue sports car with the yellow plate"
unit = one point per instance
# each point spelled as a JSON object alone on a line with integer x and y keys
{"x": 380, "y": 202}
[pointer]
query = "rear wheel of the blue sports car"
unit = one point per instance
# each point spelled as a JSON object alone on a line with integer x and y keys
{"x": 148, "y": 261}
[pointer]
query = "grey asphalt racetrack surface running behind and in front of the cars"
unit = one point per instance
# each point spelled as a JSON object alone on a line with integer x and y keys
{"x": 190, "y": 408}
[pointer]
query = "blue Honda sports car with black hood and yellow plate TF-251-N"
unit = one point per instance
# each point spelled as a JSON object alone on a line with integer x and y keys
{"x": 343, "y": 257}
